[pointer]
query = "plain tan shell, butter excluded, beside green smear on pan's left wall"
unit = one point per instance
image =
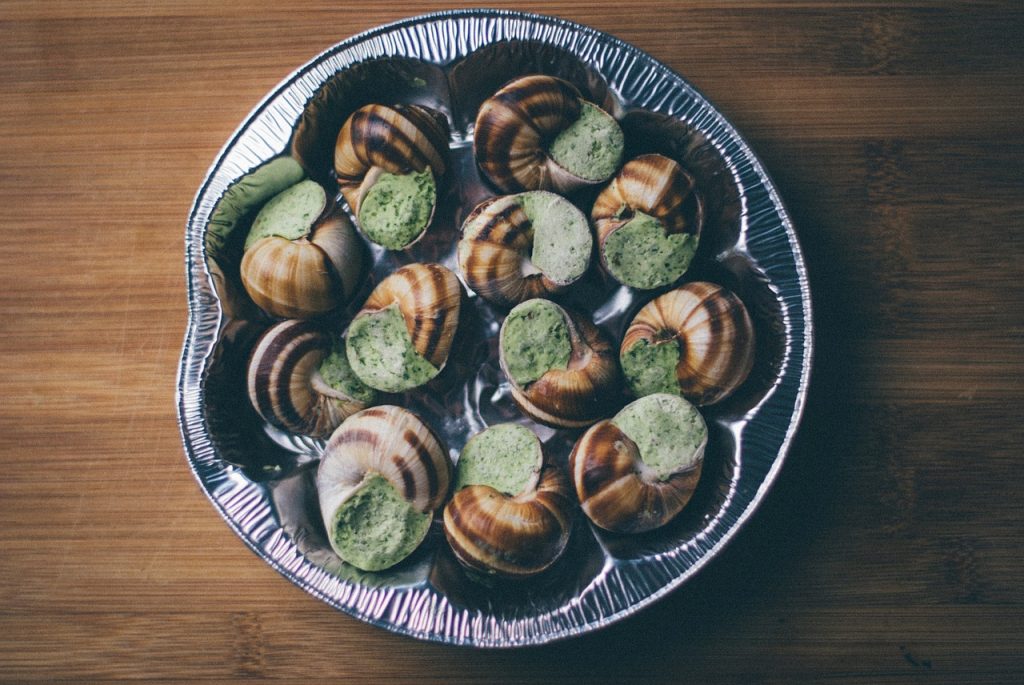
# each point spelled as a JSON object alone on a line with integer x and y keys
{"x": 307, "y": 276}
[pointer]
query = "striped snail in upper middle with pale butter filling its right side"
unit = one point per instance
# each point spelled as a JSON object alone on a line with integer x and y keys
{"x": 495, "y": 252}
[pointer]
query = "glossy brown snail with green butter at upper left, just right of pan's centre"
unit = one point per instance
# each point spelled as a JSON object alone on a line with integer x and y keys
{"x": 578, "y": 380}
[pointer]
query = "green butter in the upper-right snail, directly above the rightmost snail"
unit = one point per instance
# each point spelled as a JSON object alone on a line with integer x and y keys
{"x": 641, "y": 254}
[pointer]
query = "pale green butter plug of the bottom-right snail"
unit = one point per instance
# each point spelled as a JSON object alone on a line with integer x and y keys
{"x": 668, "y": 431}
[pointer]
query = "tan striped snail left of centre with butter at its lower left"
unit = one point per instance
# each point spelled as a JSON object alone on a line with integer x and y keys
{"x": 429, "y": 299}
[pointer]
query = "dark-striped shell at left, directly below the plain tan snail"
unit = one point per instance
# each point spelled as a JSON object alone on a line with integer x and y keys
{"x": 287, "y": 388}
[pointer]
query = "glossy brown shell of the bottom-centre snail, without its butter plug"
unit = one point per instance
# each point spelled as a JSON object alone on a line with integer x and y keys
{"x": 514, "y": 537}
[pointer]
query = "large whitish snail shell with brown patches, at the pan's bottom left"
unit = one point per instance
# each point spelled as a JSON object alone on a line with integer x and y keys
{"x": 395, "y": 445}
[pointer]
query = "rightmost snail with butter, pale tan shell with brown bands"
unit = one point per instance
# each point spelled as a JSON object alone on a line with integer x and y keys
{"x": 697, "y": 341}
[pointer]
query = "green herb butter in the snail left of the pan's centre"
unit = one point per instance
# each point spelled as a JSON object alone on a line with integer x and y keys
{"x": 380, "y": 352}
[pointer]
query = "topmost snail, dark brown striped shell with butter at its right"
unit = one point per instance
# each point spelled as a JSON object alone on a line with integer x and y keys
{"x": 517, "y": 129}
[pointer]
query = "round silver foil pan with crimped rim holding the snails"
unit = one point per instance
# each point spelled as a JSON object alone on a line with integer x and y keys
{"x": 262, "y": 481}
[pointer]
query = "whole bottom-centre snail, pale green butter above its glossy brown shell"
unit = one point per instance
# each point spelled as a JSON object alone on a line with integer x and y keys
{"x": 513, "y": 511}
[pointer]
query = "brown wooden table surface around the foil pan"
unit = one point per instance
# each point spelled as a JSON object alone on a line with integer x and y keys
{"x": 889, "y": 551}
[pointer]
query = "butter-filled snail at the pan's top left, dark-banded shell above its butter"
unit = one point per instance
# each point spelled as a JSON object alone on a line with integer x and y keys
{"x": 389, "y": 161}
